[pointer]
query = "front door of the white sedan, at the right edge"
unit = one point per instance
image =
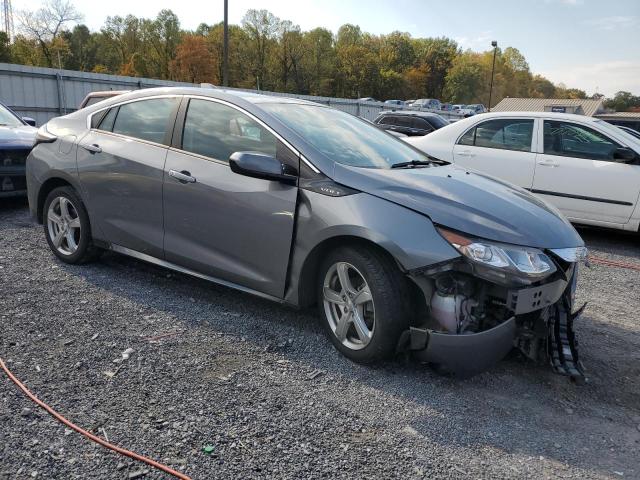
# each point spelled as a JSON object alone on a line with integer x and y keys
{"x": 577, "y": 170}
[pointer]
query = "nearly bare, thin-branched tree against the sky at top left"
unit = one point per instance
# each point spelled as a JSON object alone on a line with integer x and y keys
{"x": 46, "y": 24}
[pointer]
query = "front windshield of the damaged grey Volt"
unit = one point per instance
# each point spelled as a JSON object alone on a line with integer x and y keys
{"x": 343, "y": 137}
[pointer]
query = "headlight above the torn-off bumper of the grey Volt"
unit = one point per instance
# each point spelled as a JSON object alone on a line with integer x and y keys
{"x": 531, "y": 262}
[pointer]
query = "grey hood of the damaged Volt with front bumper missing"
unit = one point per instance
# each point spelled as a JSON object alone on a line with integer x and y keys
{"x": 467, "y": 201}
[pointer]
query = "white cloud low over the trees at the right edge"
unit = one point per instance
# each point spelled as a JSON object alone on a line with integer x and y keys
{"x": 605, "y": 77}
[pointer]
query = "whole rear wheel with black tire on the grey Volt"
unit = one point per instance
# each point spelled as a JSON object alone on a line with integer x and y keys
{"x": 67, "y": 228}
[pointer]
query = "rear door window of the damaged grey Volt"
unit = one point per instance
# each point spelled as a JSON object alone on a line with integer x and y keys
{"x": 145, "y": 119}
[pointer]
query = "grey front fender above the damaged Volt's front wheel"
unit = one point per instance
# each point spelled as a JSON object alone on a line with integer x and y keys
{"x": 408, "y": 236}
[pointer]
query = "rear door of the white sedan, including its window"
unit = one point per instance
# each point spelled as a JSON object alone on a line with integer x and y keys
{"x": 501, "y": 147}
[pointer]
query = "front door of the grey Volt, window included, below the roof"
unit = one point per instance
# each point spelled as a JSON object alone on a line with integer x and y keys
{"x": 225, "y": 225}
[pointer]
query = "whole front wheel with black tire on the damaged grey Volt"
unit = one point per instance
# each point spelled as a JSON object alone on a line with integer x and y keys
{"x": 362, "y": 296}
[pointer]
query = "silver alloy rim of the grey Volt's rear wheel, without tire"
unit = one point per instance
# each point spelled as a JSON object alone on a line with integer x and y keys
{"x": 63, "y": 223}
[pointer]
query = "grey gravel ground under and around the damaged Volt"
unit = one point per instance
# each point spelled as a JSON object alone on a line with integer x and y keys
{"x": 262, "y": 385}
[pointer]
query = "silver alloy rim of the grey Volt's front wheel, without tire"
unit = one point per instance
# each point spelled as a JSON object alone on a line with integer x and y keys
{"x": 348, "y": 305}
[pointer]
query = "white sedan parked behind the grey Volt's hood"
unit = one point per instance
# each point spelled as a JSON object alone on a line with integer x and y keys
{"x": 586, "y": 167}
